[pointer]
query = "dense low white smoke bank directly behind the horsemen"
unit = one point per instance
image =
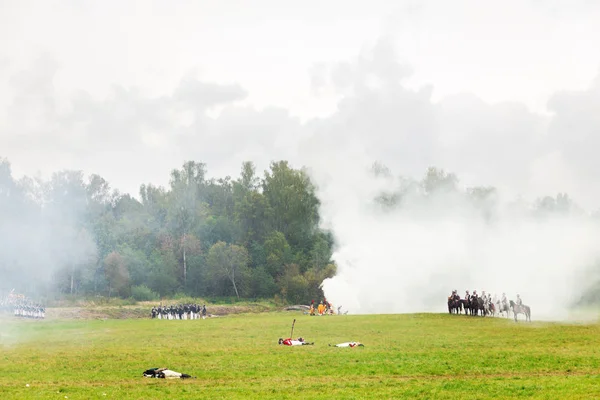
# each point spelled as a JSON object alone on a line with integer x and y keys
{"x": 409, "y": 257}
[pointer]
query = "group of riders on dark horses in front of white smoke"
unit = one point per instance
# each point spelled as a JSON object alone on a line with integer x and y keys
{"x": 486, "y": 305}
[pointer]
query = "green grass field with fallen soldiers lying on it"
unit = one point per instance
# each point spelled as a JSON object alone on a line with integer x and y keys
{"x": 405, "y": 356}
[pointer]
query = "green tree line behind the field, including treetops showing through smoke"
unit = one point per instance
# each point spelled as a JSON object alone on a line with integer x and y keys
{"x": 250, "y": 237}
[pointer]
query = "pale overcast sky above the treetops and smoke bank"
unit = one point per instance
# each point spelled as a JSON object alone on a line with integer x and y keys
{"x": 502, "y": 93}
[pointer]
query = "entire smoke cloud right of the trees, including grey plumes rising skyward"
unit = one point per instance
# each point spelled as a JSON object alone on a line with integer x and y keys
{"x": 441, "y": 235}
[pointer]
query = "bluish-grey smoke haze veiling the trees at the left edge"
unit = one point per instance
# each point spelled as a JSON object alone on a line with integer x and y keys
{"x": 42, "y": 236}
